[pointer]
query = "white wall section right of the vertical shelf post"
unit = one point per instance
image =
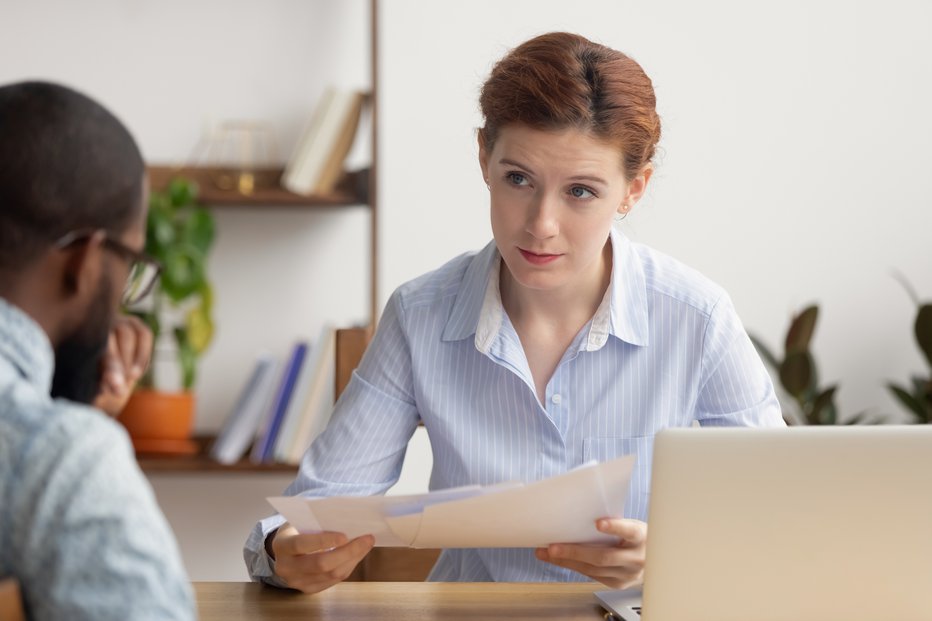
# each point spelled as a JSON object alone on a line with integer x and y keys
{"x": 793, "y": 166}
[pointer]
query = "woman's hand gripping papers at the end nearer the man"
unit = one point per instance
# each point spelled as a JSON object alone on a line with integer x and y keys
{"x": 314, "y": 562}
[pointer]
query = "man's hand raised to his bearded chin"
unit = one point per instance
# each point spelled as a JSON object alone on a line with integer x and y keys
{"x": 129, "y": 350}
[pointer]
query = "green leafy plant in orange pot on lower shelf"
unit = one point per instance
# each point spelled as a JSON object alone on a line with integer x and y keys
{"x": 179, "y": 233}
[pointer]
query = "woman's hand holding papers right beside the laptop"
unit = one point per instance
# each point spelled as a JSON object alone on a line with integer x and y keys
{"x": 618, "y": 566}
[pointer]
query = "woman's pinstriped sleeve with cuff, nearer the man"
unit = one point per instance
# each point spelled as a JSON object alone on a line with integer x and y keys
{"x": 361, "y": 451}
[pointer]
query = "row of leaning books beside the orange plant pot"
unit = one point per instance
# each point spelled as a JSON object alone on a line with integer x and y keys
{"x": 283, "y": 406}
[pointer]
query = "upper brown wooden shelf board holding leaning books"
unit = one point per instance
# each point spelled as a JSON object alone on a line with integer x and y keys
{"x": 217, "y": 189}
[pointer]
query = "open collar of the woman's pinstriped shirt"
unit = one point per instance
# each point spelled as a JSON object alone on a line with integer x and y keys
{"x": 623, "y": 312}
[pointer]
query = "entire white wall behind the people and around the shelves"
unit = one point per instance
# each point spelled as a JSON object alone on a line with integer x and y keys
{"x": 793, "y": 166}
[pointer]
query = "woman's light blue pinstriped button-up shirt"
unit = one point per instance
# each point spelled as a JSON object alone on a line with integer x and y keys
{"x": 664, "y": 349}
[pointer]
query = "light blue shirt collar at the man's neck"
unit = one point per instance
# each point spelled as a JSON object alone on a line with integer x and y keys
{"x": 26, "y": 346}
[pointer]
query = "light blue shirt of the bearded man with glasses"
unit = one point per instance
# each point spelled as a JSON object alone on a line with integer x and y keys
{"x": 79, "y": 526}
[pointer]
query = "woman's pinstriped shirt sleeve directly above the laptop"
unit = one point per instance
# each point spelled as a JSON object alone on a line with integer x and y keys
{"x": 735, "y": 387}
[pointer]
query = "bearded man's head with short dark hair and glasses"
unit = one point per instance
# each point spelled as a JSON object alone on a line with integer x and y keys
{"x": 72, "y": 215}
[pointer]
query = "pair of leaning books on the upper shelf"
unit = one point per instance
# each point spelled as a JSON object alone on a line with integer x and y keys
{"x": 317, "y": 161}
